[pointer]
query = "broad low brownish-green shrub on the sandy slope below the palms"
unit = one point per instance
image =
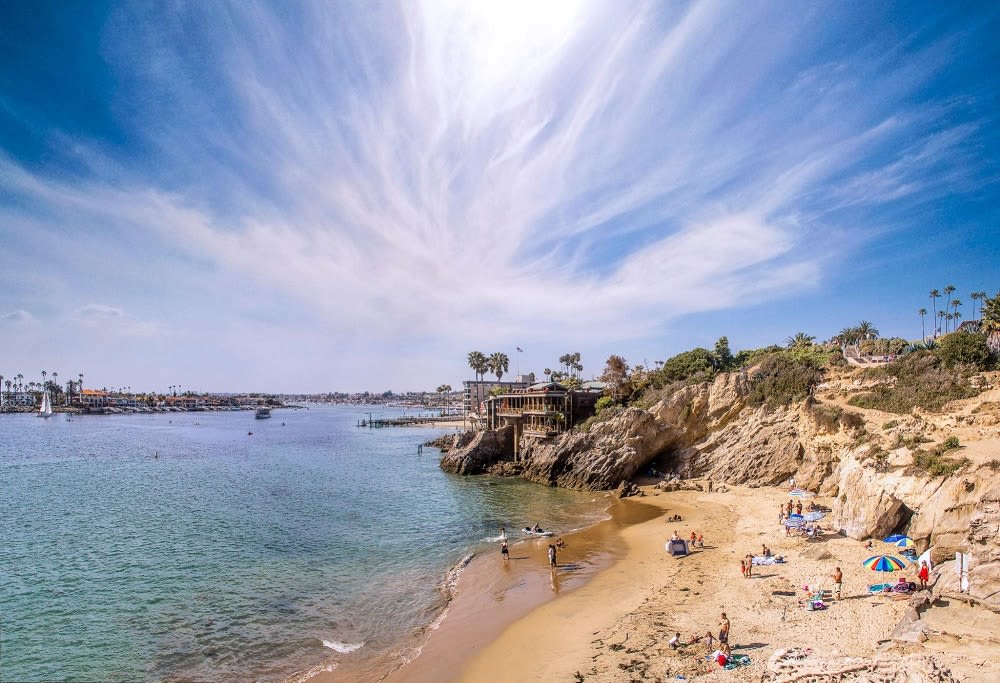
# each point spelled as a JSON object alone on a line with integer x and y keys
{"x": 921, "y": 380}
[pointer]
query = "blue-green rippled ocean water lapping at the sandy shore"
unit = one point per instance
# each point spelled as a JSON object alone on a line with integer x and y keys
{"x": 179, "y": 547}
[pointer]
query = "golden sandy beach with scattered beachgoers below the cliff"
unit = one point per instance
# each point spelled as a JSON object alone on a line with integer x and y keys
{"x": 608, "y": 612}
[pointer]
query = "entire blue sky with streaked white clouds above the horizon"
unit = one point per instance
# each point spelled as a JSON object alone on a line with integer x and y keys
{"x": 336, "y": 196}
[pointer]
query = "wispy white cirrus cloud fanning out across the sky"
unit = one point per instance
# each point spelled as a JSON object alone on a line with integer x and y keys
{"x": 466, "y": 166}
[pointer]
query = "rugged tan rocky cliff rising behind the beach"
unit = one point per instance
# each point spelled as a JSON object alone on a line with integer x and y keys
{"x": 708, "y": 431}
